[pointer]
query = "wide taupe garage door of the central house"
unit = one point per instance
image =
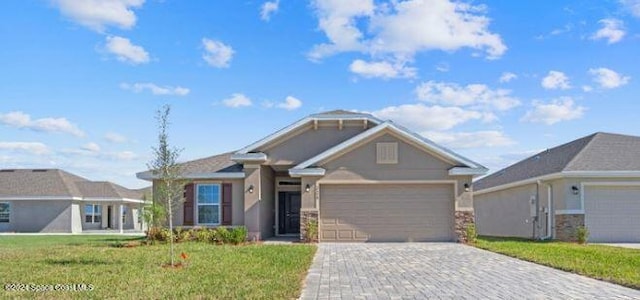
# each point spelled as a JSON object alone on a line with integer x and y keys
{"x": 386, "y": 212}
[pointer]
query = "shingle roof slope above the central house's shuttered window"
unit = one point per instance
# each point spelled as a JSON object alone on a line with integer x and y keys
{"x": 220, "y": 163}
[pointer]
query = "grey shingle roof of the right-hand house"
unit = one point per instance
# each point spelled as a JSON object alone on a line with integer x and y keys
{"x": 596, "y": 152}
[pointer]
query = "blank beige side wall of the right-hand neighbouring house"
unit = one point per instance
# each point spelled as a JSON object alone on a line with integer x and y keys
{"x": 506, "y": 212}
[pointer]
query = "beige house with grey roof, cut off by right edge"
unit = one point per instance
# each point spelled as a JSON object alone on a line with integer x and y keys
{"x": 593, "y": 182}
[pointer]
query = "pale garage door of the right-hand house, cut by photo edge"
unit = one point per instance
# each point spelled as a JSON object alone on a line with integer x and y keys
{"x": 612, "y": 213}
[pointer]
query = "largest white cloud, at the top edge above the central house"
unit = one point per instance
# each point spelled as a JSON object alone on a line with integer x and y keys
{"x": 403, "y": 28}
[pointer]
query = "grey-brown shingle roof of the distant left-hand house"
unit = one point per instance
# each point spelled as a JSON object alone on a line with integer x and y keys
{"x": 58, "y": 183}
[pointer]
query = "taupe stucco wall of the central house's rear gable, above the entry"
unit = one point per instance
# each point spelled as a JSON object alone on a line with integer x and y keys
{"x": 309, "y": 142}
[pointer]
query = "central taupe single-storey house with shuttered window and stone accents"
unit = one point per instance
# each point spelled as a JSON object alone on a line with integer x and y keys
{"x": 360, "y": 178}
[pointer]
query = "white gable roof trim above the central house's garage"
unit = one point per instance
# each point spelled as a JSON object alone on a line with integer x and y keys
{"x": 388, "y": 125}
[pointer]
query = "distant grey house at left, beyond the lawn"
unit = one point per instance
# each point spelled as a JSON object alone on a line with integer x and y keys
{"x": 52, "y": 200}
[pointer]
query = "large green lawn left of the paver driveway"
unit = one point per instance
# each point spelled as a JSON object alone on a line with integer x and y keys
{"x": 248, "y": 272}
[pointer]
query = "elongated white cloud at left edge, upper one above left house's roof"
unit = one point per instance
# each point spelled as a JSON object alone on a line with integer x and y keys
{"x": 19, "y": 119}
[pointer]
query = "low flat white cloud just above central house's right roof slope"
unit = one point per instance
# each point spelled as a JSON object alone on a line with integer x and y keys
{"x": 477, "y": 139}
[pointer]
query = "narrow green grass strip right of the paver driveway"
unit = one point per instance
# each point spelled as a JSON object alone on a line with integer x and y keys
{"x": 613, "y": 264}
